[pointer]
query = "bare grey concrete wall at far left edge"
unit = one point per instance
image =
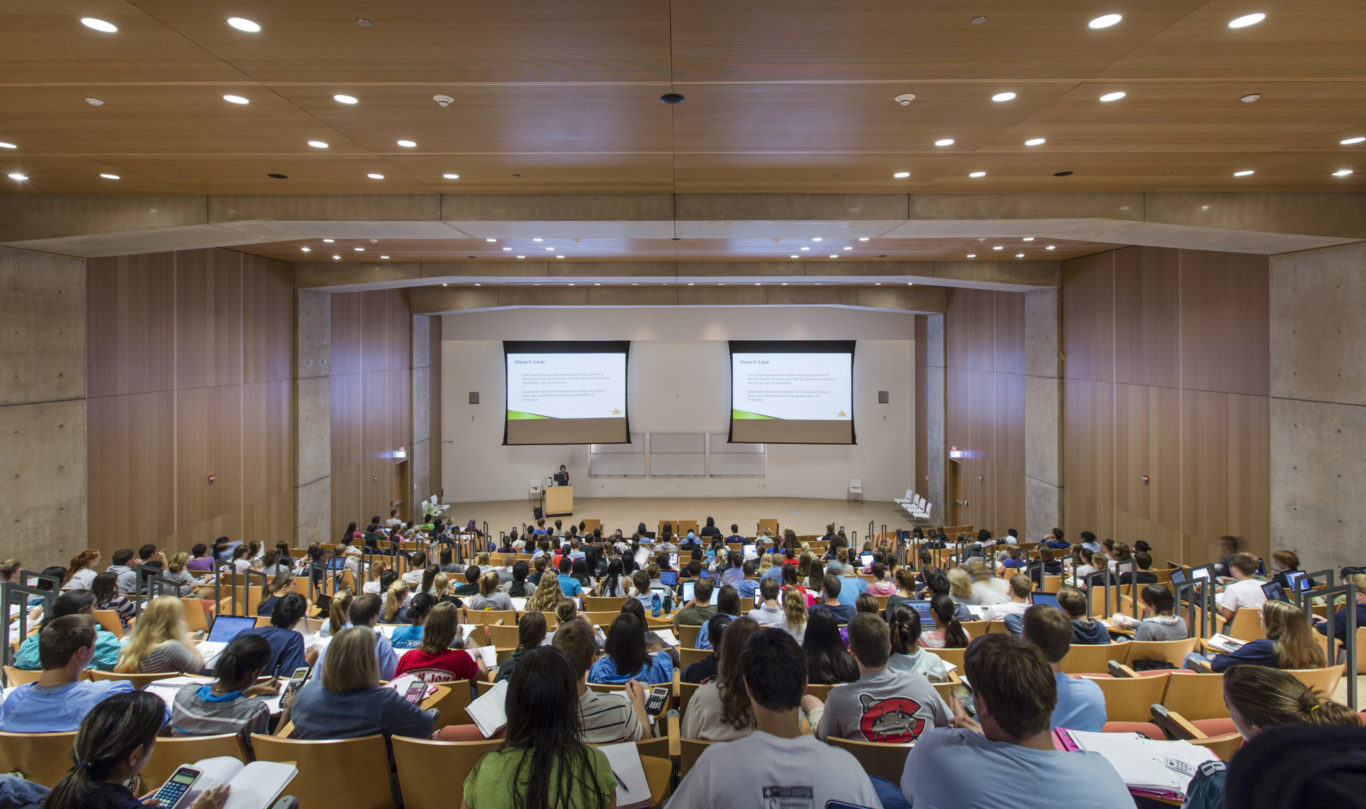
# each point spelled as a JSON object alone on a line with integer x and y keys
{"x": 43, "y": 408}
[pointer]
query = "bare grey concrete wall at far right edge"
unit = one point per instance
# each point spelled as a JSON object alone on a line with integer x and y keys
{"x": 1319, "y": 405}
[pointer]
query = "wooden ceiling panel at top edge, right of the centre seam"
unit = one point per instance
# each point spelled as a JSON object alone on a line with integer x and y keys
{"x": 900, "y": 40}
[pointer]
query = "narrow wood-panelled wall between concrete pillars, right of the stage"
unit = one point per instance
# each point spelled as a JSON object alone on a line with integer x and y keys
{"x": 984, "y": 346}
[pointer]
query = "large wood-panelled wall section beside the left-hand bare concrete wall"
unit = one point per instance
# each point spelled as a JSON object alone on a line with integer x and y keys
{"x": 189, "y": 375}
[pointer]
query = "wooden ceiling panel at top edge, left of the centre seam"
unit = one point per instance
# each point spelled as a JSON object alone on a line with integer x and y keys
{"x": 434, "y": 40}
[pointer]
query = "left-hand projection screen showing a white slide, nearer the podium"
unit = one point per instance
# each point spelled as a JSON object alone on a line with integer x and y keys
{"x": 566, "y": 393}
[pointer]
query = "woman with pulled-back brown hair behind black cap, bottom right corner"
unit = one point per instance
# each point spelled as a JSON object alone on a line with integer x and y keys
{"x": 1257, "y": 699}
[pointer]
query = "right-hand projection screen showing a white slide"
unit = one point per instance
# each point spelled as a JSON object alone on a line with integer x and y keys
{"x": 793, "y": 393}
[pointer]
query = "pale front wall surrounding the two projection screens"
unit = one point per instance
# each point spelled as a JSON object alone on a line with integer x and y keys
{"x": 680, "y": 383}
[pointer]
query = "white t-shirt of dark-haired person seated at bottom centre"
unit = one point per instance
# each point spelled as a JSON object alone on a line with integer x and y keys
{"x": 764, "y": 771}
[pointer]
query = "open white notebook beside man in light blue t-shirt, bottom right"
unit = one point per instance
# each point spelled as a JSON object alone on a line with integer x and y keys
{"x": 1149, "y": 769}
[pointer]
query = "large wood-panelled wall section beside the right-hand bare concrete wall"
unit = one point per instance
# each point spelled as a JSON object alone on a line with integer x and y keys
{"x": 1167, "y": 375}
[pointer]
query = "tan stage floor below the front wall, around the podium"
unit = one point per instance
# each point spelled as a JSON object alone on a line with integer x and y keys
{"x": 803, "y": 516}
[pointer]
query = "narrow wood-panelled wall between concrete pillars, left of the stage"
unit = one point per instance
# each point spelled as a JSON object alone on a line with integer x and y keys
{"x": 372, "y": 392}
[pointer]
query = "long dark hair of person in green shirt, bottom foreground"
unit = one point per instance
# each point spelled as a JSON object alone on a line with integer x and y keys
{"x": 543, "y": 718}
